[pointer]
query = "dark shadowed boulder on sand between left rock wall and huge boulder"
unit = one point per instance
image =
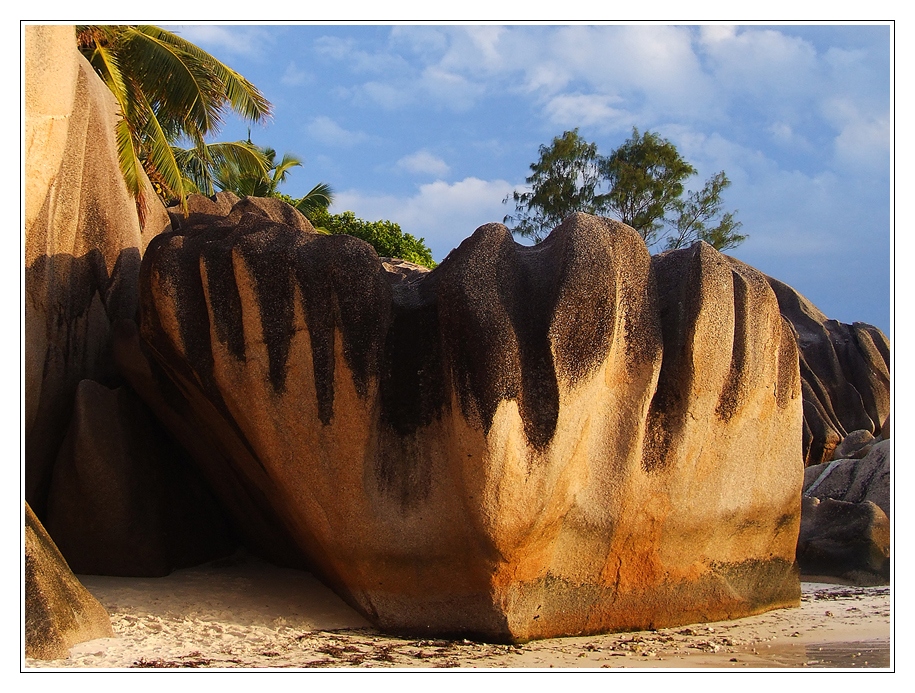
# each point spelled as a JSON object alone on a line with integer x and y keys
{"x": 124, "y": 500}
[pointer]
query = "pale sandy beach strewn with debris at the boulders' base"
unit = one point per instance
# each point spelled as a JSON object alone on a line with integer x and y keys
{"x": 242, "y": 613}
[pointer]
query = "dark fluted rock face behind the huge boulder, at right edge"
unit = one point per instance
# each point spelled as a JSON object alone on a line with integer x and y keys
{"x": 845, "y": 371}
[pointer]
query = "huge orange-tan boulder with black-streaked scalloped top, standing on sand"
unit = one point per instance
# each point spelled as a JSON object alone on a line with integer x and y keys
{"x": 522, "y": 443}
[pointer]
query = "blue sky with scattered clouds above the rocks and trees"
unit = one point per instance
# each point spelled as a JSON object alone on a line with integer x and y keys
{"x": 432, "y": 126}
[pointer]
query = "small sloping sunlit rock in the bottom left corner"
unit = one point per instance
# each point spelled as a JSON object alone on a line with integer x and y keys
{"x": 59, "y": 611}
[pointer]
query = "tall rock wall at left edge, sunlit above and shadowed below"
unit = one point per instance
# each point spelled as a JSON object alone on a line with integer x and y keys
{"x": 83, "y": 241}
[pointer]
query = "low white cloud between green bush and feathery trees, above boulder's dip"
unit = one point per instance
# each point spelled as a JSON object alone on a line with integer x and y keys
{"x": 442, "y": 213}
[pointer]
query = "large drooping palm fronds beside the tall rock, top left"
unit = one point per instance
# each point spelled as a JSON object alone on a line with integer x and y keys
{"x": 168, "y": 90}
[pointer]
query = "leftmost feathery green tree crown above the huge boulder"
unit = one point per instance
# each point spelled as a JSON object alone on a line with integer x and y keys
{"x": 563, "y": 181}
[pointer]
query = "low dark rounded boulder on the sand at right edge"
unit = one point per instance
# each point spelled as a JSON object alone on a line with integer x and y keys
{"x": 850, "y": 541}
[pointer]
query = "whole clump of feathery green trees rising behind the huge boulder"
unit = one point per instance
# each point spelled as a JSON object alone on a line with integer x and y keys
{"x": 640, "y": 182}
